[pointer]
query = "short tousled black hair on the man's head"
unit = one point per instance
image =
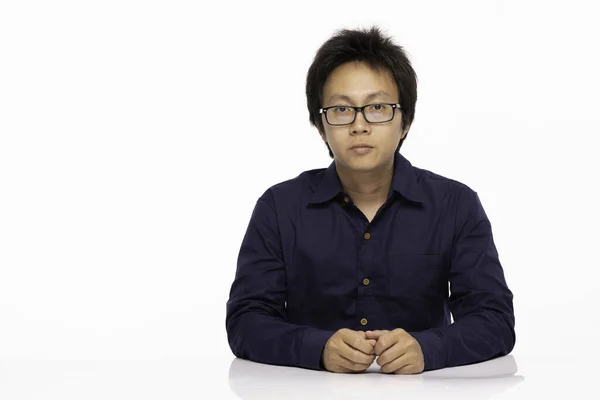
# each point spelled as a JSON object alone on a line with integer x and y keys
{"x": 371, "y": 47}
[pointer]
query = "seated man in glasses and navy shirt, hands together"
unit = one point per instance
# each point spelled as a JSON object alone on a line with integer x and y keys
{"x": 365, "y": 260}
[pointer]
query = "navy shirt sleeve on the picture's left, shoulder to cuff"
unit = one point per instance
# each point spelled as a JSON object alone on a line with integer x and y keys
{"x": 256, "y": 319}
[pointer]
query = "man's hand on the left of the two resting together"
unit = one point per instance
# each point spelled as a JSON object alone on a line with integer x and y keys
{"x": 348, "y": 351}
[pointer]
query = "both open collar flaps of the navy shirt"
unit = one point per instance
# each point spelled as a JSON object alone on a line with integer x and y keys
{"x": 404, "y": 182}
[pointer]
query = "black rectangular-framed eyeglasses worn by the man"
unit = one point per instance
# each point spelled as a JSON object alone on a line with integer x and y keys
{"x": 373, "y": 113}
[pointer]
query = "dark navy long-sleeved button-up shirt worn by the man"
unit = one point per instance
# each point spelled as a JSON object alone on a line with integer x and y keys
{"x": 311, "y": 263}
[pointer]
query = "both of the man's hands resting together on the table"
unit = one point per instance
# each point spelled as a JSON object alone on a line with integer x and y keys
{"x": 354, "y": 351}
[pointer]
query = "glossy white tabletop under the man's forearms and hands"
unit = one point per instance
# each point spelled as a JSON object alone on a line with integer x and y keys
{"x": 564, "y": 375}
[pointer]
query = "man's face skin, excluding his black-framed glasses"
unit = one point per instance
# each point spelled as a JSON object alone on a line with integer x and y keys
{"x": 357, "y": 81}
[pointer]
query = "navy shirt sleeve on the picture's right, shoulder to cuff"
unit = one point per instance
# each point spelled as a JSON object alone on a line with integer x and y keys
{"x": 480, "y": 300}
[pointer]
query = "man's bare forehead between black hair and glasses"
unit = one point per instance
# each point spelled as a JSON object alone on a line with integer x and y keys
{"x": 357, "y": 80}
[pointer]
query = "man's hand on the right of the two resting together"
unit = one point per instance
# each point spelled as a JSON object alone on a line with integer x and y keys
{"x": 398, "y": 352}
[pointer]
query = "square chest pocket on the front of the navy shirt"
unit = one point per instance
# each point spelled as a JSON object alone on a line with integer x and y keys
{"x": 417, "y": 275}
